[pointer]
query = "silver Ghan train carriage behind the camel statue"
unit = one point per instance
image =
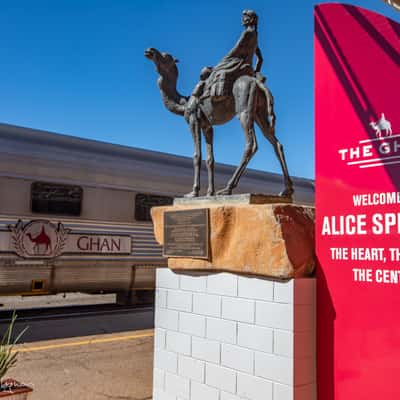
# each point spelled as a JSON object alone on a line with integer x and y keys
{"x": 75, "y": 213}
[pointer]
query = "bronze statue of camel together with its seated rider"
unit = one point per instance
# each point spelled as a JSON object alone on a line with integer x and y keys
{"x": 232, "y": 87}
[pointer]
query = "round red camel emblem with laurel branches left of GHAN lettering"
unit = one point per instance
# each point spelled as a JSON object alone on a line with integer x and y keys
{"x": 38, "y": 239}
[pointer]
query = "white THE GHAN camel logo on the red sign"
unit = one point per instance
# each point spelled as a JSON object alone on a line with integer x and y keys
{"x": 377, "y": 152}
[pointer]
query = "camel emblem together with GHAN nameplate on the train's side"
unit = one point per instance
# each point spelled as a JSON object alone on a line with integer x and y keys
{"x": 42, "y": 239}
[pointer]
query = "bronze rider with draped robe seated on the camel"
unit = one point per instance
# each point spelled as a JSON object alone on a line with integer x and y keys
{"x": 238, "y": 62}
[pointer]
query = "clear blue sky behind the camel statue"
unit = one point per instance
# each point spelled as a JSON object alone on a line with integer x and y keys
{"x": 77, "y": 67}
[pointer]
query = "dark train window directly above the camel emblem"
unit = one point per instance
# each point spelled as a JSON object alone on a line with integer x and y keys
{"x": 54, "y": 198}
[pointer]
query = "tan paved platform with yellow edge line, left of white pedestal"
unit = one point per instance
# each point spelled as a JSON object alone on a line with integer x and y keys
{"x": 103, "y": 367}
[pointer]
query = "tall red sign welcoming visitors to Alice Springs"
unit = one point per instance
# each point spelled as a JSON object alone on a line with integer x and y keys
{"x": 357, "y": 93}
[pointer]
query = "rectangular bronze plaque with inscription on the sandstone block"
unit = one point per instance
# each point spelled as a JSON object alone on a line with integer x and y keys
{"x": 186, "y": 233}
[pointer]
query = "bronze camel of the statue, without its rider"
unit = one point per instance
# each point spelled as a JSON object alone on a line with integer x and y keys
{"x": 250, "y": 100}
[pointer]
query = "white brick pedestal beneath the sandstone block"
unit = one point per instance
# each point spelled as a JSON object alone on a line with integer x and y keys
{"x": 230, "y": 337}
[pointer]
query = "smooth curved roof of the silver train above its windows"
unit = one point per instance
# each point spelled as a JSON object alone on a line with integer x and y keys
{"x": 36, "y": 154}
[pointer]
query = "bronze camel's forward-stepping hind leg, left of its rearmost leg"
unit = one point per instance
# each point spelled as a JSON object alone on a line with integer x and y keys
{"x": 247, "y": 122}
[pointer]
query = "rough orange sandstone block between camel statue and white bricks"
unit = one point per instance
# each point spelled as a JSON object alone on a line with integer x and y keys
{"x": 273, "y": 240}
